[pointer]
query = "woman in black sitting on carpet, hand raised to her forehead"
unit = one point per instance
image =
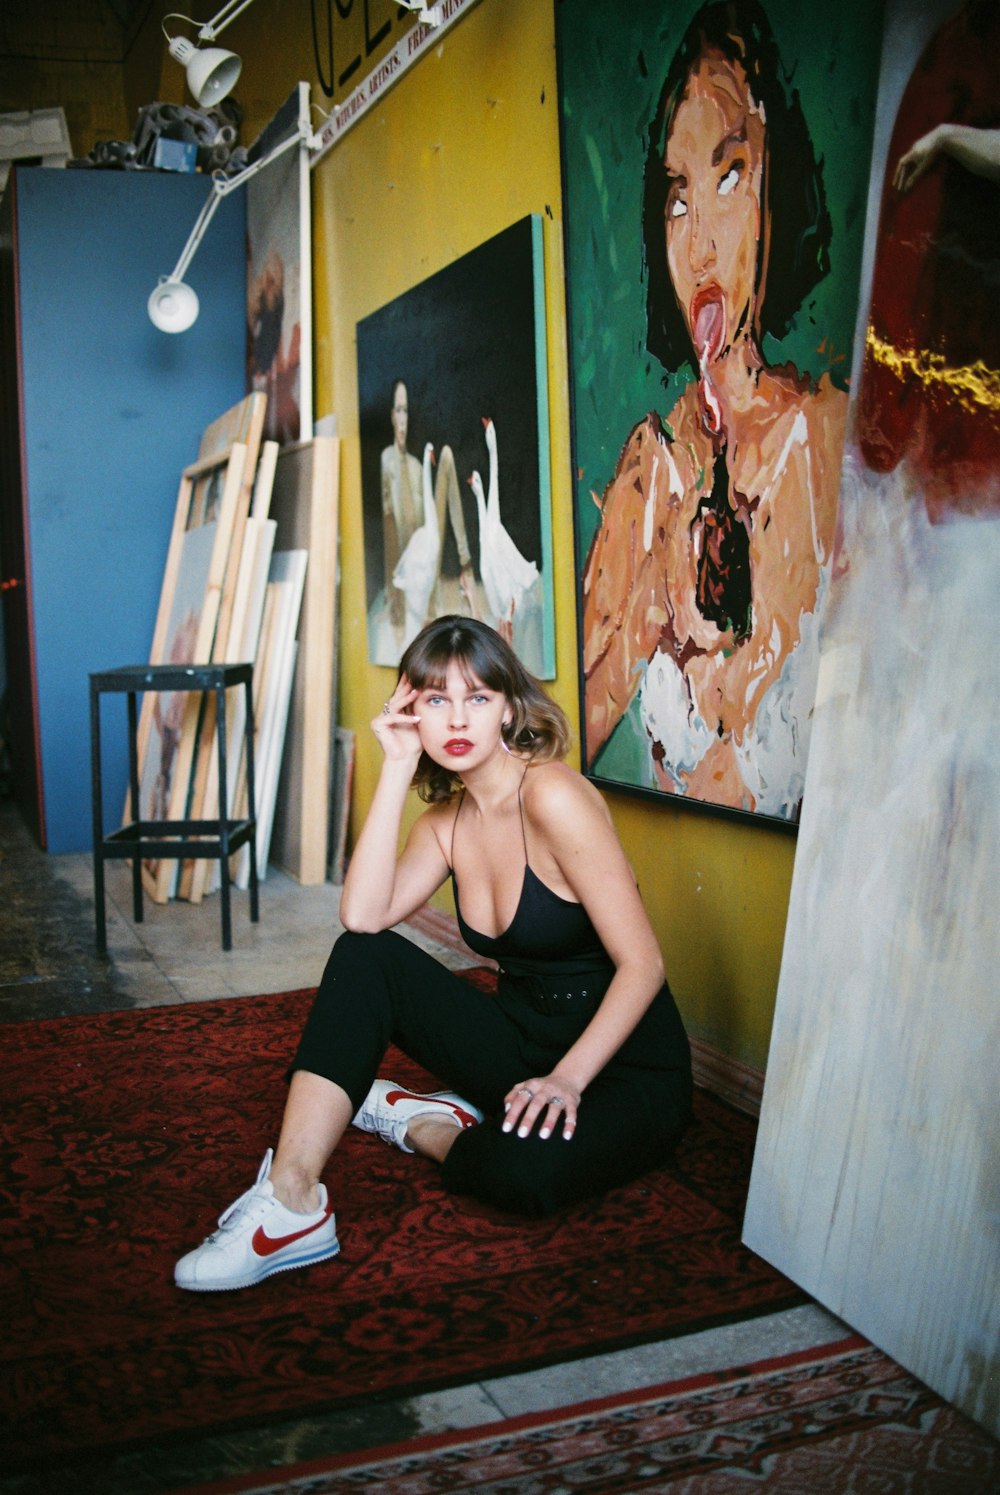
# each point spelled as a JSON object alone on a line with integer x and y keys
{"x": 573, "y": 1079}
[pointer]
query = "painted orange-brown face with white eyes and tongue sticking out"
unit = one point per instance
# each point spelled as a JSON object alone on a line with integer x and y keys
{"x": 714, "y": 161}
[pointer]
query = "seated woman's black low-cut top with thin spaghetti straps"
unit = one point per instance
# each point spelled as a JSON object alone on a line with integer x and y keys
{"x": 548, "y": 934}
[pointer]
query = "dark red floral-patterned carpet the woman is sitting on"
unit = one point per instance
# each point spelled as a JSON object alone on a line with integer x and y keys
{"x": 126, "y": 1134}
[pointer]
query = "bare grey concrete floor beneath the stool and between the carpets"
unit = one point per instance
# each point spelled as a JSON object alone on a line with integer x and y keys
{"x": 49, "y": 968}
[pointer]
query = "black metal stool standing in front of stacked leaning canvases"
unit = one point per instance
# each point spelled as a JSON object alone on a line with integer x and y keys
{"x": 217, "y": 839}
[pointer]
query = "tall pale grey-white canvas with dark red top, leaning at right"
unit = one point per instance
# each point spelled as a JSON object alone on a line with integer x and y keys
{"x": 877, "y": 1180}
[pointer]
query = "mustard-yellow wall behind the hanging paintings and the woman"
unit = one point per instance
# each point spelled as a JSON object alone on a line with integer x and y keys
{"x": 466, "y": 144}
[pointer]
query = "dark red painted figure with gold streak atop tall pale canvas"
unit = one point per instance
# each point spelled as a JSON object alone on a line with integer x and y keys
{"x": 930, "y": 388}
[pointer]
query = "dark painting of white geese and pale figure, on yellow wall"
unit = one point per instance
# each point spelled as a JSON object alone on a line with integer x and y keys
{"x": 464, "y": 349}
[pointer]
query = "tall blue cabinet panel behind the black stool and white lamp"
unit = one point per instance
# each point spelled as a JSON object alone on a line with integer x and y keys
{"x": 113, "y": 413}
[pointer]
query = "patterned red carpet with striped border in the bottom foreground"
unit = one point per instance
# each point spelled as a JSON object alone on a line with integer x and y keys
{"x": 841, "y": 1420}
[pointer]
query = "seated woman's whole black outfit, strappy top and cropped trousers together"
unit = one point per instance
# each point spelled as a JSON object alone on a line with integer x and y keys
{"x": 382, "y": 989}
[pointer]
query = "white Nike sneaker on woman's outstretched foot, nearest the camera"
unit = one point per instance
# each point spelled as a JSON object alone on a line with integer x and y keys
{"x": 258, "y": 1236}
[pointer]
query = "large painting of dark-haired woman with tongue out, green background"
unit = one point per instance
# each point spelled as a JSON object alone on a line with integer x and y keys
{"x": 714, "y": 256}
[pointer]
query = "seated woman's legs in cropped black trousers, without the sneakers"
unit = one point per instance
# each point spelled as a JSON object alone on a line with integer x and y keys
{"x": 382, "y": 989}
